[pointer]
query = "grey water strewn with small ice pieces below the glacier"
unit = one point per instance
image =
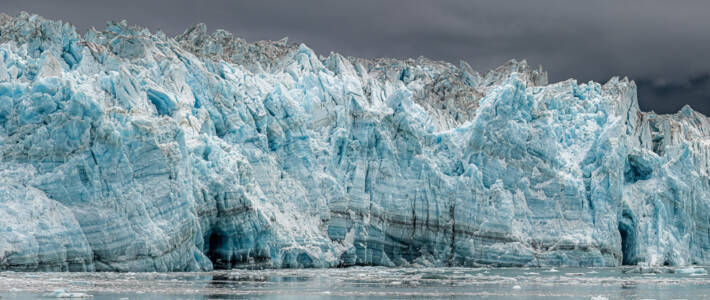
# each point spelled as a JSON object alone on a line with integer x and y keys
{"x": 369, "y": 282}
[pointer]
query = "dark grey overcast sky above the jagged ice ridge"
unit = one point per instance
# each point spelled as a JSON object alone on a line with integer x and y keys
{"x": 663, "y": 45}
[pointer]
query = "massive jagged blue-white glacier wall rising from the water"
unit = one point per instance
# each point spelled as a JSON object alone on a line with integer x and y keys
{"x": 127, "y": 150}
